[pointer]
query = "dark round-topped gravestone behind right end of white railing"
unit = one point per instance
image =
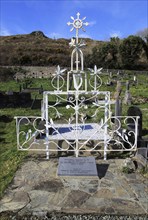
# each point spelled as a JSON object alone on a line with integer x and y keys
{"x": 135, "y": 111}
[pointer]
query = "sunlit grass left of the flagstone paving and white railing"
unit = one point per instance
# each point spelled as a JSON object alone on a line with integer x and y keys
{"x": 10, "y": 157}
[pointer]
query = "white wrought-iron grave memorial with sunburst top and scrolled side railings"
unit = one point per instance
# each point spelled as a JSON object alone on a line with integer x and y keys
{"x": 71, "y": 113}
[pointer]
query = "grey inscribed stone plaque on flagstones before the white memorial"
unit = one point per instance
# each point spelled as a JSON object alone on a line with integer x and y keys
{"x": 77, "y": 166}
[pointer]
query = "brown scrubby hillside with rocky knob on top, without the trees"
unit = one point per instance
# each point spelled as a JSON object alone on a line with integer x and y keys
{"x": 37, "y": 50}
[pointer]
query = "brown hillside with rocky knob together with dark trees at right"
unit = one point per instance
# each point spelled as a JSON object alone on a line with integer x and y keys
{"x": 36, "y": 49}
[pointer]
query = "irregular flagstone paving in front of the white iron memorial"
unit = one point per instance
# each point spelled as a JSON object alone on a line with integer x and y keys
{"x": 37, "y": 189}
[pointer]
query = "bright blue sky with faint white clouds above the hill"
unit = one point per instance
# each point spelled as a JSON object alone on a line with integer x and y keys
{"x": 107, "y": 18}
